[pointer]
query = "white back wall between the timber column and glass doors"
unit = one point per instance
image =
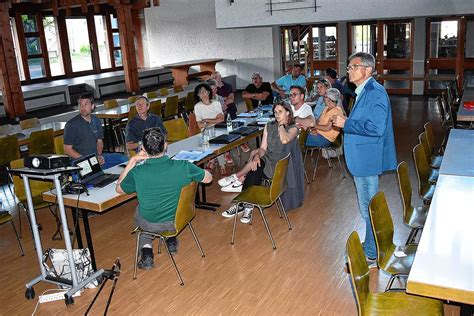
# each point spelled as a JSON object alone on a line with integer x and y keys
{"x": 181, "y": 30}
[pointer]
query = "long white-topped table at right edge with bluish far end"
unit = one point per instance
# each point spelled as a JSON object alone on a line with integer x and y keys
{"x": 444, "y": 262}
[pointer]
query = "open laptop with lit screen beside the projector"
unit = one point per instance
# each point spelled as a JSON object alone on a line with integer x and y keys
{"x": 91, "y": 173}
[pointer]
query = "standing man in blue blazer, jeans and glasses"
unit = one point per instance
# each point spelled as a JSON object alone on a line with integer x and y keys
{"x": 368, "y": 139}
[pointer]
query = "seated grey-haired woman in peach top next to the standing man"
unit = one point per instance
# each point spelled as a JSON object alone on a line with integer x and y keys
{"x": 323, "y": 133}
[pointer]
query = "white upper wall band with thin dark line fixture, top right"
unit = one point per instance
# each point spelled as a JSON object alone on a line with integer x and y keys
{"x": 251, "y": 13}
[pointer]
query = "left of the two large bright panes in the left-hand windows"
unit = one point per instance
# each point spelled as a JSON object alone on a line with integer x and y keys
{"x": 54, "y": 46}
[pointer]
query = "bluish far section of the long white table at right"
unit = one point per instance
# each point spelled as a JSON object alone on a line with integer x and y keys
{"x": 458, "y": 157}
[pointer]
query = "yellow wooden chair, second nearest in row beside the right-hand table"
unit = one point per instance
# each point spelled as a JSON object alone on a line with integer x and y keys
{"x": 382, "y": 226}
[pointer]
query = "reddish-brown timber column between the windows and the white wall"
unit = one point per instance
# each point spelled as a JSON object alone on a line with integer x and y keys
{"x": 127, "y": 42}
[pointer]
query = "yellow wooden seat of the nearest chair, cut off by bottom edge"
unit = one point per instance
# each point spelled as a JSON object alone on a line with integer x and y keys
{"x": 395, "y": 303}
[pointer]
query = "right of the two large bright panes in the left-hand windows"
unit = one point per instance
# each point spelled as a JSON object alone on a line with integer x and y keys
{"x": 79, "y": 44}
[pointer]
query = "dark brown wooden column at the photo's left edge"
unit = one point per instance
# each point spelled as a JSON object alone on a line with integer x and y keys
{"x": 10, "y": 84}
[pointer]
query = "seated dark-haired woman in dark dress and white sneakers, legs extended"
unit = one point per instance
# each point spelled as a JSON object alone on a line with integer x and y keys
{"x": 262, "y": 161}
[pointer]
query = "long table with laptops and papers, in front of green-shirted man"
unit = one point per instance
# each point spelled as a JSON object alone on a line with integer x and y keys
{"x": 101, "y": 200}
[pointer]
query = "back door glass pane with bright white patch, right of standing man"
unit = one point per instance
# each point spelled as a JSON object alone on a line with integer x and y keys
{"x": 443, "y": 39}
